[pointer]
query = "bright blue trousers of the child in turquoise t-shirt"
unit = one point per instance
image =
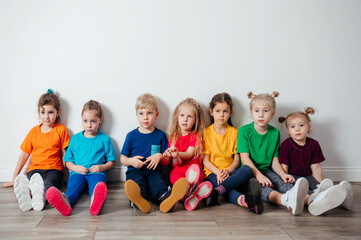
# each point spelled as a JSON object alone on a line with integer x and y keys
{"x": 77, "y": 183}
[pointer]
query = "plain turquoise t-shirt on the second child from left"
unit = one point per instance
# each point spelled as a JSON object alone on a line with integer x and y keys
{"x": 88, "y": 152}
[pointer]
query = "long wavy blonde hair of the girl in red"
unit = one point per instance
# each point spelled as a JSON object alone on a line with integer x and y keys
{"x": 198, "y": 126}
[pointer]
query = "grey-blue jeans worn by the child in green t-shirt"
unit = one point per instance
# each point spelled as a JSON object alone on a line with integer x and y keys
{"x": 278, "y": 185}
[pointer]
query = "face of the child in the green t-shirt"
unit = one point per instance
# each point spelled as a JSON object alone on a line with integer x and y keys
{"x": 262, "y": 113}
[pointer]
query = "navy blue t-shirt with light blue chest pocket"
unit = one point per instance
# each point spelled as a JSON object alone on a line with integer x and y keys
{"x": 145, "y": 145}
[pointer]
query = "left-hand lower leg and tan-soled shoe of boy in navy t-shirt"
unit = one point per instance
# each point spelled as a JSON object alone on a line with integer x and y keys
{"x": 135, "y": 189}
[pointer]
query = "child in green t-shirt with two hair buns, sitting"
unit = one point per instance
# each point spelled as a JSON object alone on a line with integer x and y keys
{"x": 258, "y": 145}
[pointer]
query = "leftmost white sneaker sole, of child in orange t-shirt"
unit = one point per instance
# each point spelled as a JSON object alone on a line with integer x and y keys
{"x": 22, "y": 193}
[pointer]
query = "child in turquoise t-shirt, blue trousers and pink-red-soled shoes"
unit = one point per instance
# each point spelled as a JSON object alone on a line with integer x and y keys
{"x": 90, "y": 154}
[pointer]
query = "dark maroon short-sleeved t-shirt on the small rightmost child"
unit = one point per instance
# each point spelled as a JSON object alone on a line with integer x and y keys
{"x": 300, "y": 158}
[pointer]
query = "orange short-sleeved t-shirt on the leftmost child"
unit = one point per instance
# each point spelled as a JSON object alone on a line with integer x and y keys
{"x": 45, "y": 148}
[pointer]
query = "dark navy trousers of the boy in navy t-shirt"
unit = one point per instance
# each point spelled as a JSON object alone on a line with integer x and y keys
{"x": 151, "y": 183}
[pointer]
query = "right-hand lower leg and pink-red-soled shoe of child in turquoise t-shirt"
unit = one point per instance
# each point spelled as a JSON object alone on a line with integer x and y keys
{"x": 97, "y": 191}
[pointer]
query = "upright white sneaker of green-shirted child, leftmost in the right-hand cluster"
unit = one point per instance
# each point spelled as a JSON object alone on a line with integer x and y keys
{"x": 295, "y": 198}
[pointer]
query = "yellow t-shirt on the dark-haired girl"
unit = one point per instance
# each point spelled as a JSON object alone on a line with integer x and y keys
{"x": 220, "y": 148}
